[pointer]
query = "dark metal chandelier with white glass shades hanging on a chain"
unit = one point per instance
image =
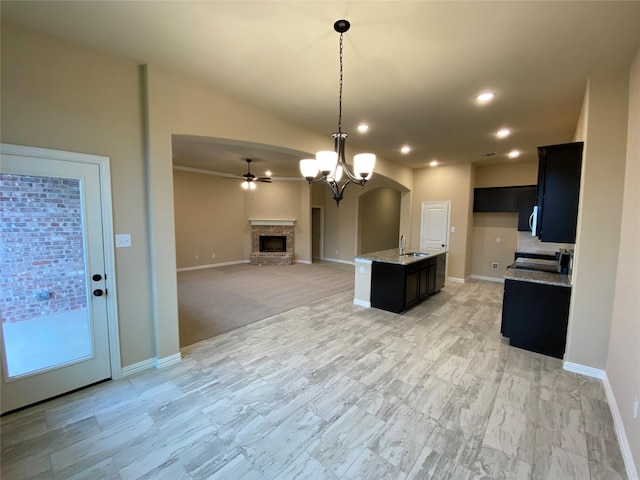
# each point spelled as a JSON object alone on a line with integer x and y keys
{"x": 332, "y": 165}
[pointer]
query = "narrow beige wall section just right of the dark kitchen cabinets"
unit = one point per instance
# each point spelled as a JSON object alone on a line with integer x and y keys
{"x": 599, "y": 220}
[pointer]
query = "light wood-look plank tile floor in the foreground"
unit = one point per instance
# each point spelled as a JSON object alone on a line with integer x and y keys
{"x": 333, "y": 391}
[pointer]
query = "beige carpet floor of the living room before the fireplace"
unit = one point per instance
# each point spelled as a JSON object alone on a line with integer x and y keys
{"x": 217, "y": 300}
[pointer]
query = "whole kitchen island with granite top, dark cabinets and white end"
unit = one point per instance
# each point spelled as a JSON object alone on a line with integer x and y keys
{"x": 394, "y": 281}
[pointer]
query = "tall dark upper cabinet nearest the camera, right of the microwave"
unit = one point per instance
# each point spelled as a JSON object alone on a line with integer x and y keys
{"x": 559, "y": 191}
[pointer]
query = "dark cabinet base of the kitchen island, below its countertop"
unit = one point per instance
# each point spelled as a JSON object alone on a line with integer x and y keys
{"x": 397, "y": 287}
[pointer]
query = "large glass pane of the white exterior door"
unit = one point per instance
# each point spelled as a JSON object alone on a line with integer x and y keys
{"x": 43, "y": 291}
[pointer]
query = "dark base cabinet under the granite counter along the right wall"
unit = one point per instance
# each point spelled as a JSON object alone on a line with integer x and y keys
{"x": 535, "y": 315}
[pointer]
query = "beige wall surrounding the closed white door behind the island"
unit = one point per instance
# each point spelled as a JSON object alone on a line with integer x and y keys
{"x": 447, "y": 183}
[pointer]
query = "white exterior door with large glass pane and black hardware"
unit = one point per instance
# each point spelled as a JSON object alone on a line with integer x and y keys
{"x": 55, "y": 332}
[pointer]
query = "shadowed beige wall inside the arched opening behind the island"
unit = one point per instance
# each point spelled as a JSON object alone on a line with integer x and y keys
{"x": 379, "y": 220}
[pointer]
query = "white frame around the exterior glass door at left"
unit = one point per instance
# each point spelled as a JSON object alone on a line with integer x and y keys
{"x": 103, "y": 164}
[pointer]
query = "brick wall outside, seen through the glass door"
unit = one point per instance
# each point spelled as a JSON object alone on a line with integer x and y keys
{"x": 41, "y": 246}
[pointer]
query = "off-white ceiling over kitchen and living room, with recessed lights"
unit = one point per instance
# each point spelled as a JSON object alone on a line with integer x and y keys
{"x": 411, "y": 68}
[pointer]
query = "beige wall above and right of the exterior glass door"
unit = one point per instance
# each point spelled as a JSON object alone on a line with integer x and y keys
{"x": 61, "y": 96}
